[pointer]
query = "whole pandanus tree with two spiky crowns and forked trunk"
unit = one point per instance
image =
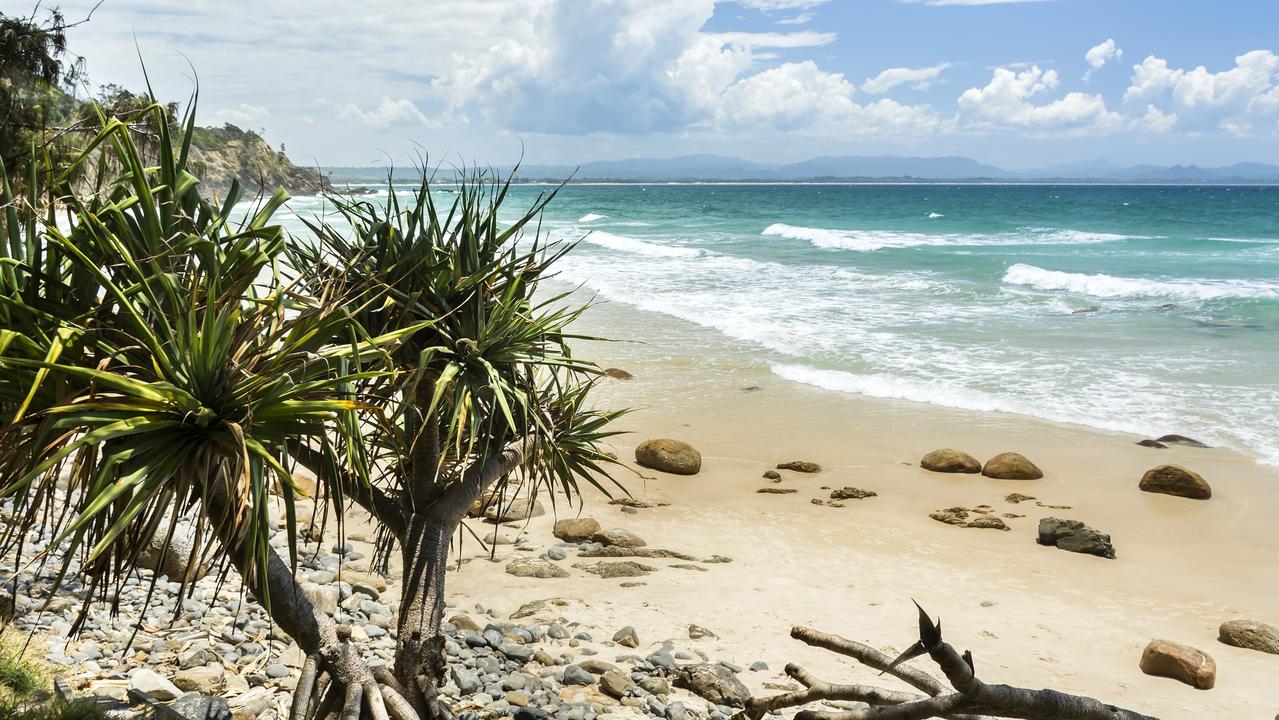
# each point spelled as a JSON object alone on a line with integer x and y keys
{"x": 166, "y": 359}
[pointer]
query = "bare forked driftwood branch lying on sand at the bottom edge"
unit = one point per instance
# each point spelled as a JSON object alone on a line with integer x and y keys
{"x": 966, "y": 698}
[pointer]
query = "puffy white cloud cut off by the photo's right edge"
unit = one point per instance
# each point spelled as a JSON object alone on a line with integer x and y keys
{"x": 1241, "y": 100}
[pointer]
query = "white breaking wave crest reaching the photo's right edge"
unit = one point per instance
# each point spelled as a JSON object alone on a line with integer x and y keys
{"x": 1102, "y": 286}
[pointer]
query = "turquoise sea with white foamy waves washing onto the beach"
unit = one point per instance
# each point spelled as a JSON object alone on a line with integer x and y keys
{"x": 1148, "y": 310}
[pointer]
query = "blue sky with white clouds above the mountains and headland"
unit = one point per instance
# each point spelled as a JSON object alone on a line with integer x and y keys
{"x": 1019, "y": 84}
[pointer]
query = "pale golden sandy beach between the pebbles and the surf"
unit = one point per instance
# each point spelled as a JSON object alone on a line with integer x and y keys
{"x": 1033, "y": 616}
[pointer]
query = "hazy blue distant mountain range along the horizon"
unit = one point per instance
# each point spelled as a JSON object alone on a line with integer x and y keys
{"x": 718, "y": 168}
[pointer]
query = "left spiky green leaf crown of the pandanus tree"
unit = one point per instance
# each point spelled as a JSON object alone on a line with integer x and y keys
{"x": 157, "y": 365}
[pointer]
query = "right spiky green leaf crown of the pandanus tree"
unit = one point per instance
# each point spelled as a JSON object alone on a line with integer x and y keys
{"x": 496, "y": 365}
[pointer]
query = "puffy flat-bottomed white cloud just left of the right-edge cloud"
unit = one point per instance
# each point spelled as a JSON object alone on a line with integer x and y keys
{"x": 1006, "y": 102}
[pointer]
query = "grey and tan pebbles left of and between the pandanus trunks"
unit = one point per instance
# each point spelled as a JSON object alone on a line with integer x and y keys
{"x": 210, "y": 648}
